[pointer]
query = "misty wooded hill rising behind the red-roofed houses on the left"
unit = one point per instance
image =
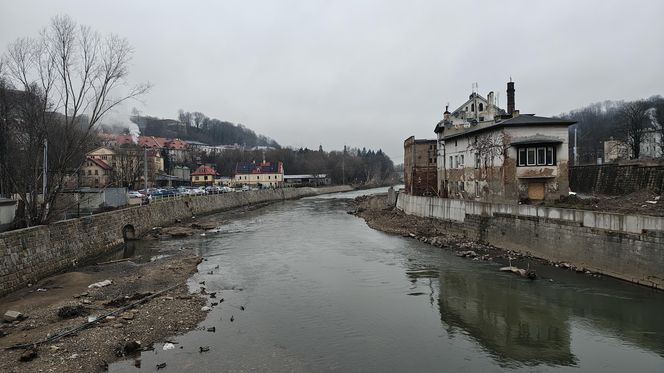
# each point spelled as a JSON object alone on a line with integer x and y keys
{"x": 197, "y": 126}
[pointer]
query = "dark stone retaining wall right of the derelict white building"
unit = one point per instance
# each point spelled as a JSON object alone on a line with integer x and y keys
{"x": 615, "y": 179}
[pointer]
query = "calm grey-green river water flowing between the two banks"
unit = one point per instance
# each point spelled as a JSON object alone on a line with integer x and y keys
{"x": 321, "y": 291}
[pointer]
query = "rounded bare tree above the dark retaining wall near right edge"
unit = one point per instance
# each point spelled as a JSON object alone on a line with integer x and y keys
{"x": 635, "y": 120}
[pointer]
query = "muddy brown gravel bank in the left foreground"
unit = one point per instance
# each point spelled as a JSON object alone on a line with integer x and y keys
{"x": 65, "y": 301}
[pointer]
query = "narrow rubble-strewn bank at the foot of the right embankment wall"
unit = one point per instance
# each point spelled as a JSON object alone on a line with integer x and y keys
{"x": 376, "y": 213}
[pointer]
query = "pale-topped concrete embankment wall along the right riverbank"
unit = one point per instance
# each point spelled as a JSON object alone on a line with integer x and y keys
{"x": 630, "y": 247}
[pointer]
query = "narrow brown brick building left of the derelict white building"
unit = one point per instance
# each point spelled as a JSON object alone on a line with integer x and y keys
{"x": 419, "y": 166}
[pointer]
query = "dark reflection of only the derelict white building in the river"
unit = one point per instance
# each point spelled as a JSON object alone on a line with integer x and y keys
{"x": 511, "y": 327}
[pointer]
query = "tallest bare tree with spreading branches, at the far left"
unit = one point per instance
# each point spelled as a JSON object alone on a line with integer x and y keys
{"x": 64, "y": 82}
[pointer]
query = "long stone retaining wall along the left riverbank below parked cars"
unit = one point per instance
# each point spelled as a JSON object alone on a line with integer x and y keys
{"x": 30, "y": 254}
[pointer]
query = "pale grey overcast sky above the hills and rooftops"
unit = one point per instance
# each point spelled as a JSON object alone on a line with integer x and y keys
{"x": 368, "y": 73}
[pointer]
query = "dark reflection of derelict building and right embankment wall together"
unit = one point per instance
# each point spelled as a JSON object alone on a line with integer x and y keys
{"x": 522, "y": 322}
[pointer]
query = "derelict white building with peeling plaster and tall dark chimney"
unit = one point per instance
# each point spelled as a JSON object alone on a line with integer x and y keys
{"x": 486, "y": 153}
